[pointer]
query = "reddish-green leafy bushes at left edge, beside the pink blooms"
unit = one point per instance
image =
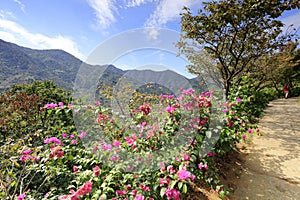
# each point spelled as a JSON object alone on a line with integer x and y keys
{"x": 24, "y": 125}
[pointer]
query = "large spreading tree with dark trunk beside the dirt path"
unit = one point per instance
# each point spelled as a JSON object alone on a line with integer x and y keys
{"x": 234, "y": 33}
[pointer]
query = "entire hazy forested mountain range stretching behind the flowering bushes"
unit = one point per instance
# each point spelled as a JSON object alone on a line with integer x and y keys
{"x": 22, "y": 65}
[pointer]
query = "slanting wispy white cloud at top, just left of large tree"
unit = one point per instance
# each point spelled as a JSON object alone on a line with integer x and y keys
{"x": 168, "y": 10}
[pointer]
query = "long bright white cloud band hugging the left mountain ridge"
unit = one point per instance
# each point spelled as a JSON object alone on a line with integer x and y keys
{"x": 13, "y": 32}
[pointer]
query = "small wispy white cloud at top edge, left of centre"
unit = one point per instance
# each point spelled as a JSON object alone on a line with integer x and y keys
{"x": 104, "y": 10}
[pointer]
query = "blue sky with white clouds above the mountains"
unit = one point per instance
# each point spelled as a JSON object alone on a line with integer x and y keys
{"x": 80, "y": 26}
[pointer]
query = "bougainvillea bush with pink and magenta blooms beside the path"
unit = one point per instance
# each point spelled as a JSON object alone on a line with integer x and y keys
{"x": 124, "y": 161}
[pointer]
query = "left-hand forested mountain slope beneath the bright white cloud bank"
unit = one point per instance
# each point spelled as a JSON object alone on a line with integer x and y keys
{"x": 21, "y": 65}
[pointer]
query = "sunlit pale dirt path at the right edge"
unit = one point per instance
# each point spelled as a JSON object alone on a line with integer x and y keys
{"x": 271, "y": 168}
